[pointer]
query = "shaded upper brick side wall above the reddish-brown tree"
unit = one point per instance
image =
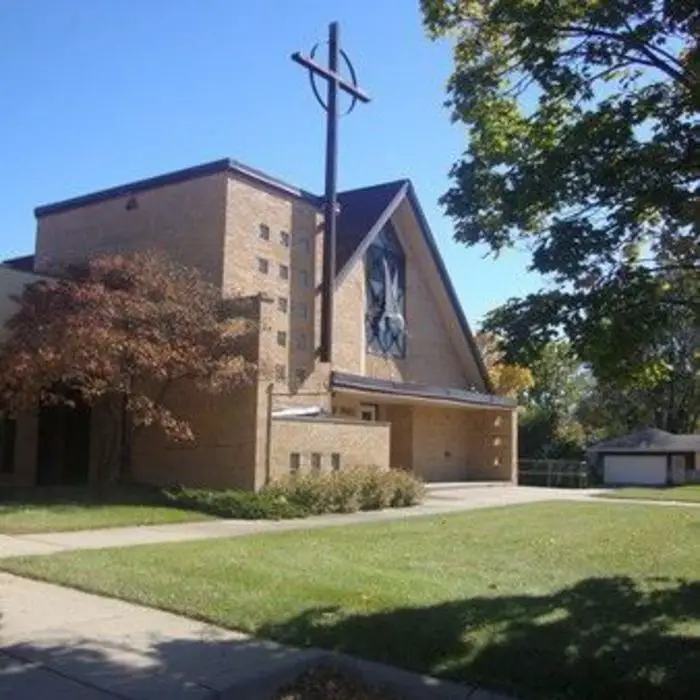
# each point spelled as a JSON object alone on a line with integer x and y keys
{"x": 185, "y": 220}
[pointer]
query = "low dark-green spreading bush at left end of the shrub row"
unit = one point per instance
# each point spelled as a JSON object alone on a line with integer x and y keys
{"x": 243, "y": 505}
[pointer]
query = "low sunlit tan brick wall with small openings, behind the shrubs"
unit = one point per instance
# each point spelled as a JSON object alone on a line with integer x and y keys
{"x": 359, "y": 443}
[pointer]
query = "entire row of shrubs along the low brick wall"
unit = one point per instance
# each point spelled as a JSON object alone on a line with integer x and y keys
{"x": 297, "y": 496}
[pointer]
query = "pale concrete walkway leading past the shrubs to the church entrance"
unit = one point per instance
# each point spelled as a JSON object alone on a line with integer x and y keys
{"x": 442, "y": 499}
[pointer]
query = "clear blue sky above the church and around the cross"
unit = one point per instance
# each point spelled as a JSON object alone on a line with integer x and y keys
{"x": 95, "y": 93}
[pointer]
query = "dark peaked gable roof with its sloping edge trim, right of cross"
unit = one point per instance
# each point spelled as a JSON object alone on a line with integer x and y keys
{"x": 364, "y": 212}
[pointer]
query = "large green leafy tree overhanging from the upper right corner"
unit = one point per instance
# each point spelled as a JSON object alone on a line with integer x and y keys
{"x": 583, "y": 127}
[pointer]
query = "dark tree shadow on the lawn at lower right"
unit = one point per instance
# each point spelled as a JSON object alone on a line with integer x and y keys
{"x": 600, "y": 638}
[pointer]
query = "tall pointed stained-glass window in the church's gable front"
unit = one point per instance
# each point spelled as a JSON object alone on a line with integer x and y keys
{"x": 385, "y": 313}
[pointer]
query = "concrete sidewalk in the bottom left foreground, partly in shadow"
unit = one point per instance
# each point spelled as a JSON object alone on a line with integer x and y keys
{"x": 62, "y": 644}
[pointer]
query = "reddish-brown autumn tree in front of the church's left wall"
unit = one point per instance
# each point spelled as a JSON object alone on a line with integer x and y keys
{"x": 121, "y": 331}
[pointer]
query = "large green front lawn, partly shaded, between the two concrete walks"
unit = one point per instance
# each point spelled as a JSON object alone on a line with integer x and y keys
{"x": 548, "y": 600}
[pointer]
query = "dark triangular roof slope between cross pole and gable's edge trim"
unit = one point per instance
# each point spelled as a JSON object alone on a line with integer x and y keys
{"x": 359, "y": 211}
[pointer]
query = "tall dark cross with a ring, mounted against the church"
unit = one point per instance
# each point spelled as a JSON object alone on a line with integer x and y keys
{"x": 334, "y": 82}
